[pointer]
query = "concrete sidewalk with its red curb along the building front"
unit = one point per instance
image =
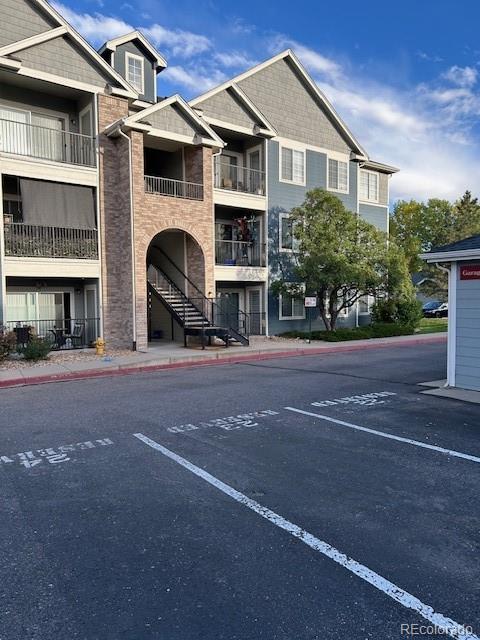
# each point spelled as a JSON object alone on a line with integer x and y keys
{"x": 169, "y": 356}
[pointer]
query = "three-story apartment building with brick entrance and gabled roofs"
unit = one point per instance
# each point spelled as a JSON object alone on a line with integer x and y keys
{"x": 140, "y": 219}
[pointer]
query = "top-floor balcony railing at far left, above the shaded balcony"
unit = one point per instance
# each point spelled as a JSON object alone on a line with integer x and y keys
{"x": 21, "y": 138}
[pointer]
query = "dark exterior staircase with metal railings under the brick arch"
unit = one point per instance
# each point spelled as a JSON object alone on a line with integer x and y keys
{"x": 197, "y": 315}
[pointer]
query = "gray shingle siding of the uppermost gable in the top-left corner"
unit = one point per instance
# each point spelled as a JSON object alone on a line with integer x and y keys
{"x": 21, "y": 20}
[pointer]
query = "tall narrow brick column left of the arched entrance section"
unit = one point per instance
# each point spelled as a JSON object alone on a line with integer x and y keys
{"x": 115, "y": 229}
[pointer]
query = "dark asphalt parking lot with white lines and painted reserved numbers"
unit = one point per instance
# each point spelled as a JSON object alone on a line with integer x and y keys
{"x": 211, "y": 504}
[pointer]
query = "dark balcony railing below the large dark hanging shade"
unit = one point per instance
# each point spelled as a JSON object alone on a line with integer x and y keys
{"x": 29, "y": 240}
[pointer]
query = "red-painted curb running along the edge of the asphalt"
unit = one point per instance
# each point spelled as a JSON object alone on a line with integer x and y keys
{"x": 124, "y": 370}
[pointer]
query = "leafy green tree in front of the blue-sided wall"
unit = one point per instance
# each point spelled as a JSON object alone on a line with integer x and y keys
{"x": 339, "y": 257}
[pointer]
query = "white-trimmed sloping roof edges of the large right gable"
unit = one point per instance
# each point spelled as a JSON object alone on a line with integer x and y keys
{"x": 319, "y": 95}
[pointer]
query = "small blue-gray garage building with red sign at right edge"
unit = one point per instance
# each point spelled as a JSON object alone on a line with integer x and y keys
{"x": 462, "y": 259}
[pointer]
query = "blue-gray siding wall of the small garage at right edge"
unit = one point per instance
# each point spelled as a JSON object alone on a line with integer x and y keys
{"x": 467, "y": 375}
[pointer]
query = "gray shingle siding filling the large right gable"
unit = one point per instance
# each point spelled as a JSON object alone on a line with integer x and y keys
{"x": 286, "y": 102}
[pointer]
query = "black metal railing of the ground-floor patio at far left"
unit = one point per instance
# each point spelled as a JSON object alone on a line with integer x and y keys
{"x": 71, "y": 333}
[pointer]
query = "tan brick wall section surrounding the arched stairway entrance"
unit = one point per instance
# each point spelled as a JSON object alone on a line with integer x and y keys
{"x": 155, "y": 213}
